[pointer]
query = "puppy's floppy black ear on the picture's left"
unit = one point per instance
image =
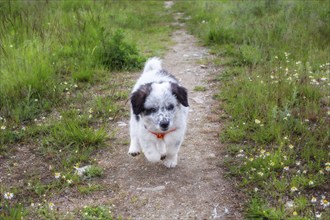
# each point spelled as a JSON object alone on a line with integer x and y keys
{"x": 139, "y": 97}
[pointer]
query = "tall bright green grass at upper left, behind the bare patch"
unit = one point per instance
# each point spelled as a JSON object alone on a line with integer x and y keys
{"x": 45, "y": 43}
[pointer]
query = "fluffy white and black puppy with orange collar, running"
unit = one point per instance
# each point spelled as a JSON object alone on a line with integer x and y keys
{"x": 159, "y": 110}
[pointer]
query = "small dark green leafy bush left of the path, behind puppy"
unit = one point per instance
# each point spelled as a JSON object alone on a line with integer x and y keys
{"x": 117, "y": 54}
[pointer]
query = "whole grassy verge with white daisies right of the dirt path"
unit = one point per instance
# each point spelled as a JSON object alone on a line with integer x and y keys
{"x": 274, "y": 87}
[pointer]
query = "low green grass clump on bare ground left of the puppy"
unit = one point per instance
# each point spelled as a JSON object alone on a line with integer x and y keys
{"x": 71, "y": 140}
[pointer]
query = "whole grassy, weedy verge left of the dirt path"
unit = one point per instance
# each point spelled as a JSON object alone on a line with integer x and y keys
{"x": 64, "y": 72}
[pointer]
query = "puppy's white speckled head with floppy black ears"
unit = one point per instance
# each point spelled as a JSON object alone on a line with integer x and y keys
{"x": 158, "y": 103}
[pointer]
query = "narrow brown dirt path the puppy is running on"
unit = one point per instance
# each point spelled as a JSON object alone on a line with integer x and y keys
{"x": 196, "y": 188}
